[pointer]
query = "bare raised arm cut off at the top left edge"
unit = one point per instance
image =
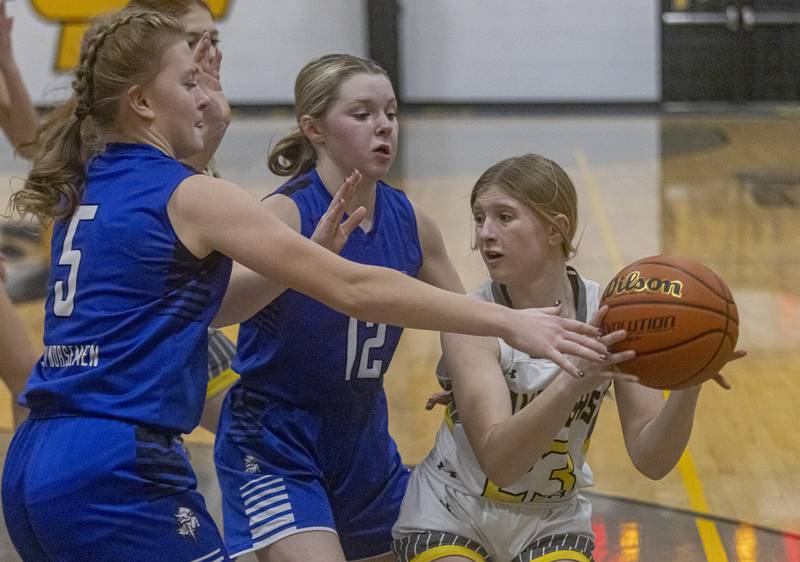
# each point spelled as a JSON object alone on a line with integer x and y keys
{"x": 18, "y": 117}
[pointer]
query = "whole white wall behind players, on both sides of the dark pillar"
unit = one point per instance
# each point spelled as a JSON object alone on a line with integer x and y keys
{"x": 451, "y": 50}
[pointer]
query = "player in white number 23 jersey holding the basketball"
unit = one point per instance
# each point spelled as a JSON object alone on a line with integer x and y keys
{"x": 503, "y": 480}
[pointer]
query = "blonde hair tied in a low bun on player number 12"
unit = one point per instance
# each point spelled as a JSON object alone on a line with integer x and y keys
{"x": 314, "y": 90}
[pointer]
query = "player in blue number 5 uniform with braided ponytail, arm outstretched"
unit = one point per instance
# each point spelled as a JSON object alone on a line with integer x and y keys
{"x": 142, "y": 249}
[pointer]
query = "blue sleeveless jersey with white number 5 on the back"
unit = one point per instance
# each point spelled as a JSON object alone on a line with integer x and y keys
{"x": 128, "y": 306}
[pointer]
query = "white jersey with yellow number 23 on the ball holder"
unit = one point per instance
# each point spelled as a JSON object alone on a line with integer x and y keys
{"x": 562, "y": 471}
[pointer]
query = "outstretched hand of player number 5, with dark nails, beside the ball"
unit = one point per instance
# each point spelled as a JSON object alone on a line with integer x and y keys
{"x": 541, "y": 332}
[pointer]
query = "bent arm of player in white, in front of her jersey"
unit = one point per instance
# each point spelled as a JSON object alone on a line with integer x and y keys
{"x": 507, "y": 445}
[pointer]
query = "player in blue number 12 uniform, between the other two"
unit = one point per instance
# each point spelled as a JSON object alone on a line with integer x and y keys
{"x": 307, "y": 467}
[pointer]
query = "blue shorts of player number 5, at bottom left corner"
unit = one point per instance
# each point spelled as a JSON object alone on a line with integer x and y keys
{"x": 84, "y": 488}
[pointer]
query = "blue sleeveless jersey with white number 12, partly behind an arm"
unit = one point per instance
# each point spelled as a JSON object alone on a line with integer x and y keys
{"x": 304, "y": 352}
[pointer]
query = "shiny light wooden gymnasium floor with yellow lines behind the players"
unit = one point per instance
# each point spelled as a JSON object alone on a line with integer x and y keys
{"x": 723, "y": 189}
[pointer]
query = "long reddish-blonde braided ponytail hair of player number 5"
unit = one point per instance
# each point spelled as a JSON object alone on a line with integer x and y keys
{"x": 118, "y": 50}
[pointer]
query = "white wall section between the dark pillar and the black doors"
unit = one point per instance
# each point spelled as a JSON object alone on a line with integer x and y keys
{"x": 530, "y": 50}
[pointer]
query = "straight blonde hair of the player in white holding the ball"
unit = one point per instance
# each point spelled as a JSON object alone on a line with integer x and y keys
{"x": 541, "y": 185}
